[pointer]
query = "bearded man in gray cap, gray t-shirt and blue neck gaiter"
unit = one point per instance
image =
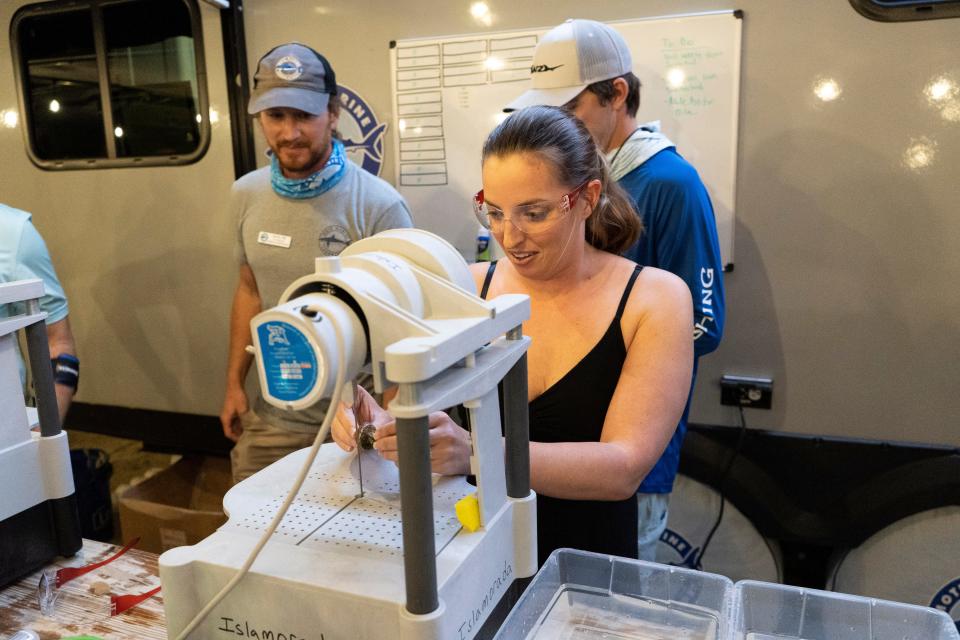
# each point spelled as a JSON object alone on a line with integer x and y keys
{"x": 309, "y": 202}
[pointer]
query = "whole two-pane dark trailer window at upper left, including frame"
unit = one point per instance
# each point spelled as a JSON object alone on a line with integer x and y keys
{"x": 108, "y": 83}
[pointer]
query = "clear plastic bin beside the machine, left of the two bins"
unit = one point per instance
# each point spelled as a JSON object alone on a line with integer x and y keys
{"x": 578, "y": 595}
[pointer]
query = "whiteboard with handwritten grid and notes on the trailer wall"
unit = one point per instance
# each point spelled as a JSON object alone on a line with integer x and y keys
{"x": 450, "y": 92}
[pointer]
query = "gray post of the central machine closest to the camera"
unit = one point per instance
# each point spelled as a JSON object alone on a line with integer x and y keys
{"x": 416, "y": 502}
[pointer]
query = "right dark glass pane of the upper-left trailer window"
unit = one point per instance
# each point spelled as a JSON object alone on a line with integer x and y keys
{"x": 153, "y": 78}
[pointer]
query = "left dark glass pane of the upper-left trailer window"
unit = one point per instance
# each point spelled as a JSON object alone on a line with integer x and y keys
{"x": 62, "y": 85}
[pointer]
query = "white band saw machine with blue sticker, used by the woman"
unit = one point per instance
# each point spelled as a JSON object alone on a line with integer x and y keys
{"x": 394, "y": 563}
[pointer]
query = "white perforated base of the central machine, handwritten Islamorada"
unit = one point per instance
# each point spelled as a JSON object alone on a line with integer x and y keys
{"x": 334, "y": 568}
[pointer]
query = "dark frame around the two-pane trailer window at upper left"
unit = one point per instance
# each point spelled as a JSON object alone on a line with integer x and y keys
{"x": 100, "y": 46}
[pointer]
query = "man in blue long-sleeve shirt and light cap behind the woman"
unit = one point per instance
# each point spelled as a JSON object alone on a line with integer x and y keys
{"x": 586, "y": 67}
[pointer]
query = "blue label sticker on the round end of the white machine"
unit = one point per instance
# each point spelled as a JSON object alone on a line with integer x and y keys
{"x": 289, "y": 363}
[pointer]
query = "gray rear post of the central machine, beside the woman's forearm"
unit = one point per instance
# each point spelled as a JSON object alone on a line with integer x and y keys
{"x": 516, "y": 419}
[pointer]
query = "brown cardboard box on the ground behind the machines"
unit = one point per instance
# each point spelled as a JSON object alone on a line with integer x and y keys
{"x": 181, "y": 505}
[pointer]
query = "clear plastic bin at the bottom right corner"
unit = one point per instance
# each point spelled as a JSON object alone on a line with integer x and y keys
{"x": 764, "y": 611}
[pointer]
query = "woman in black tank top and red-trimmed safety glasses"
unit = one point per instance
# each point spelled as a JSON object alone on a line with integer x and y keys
{"x": 611, "y": 352}
